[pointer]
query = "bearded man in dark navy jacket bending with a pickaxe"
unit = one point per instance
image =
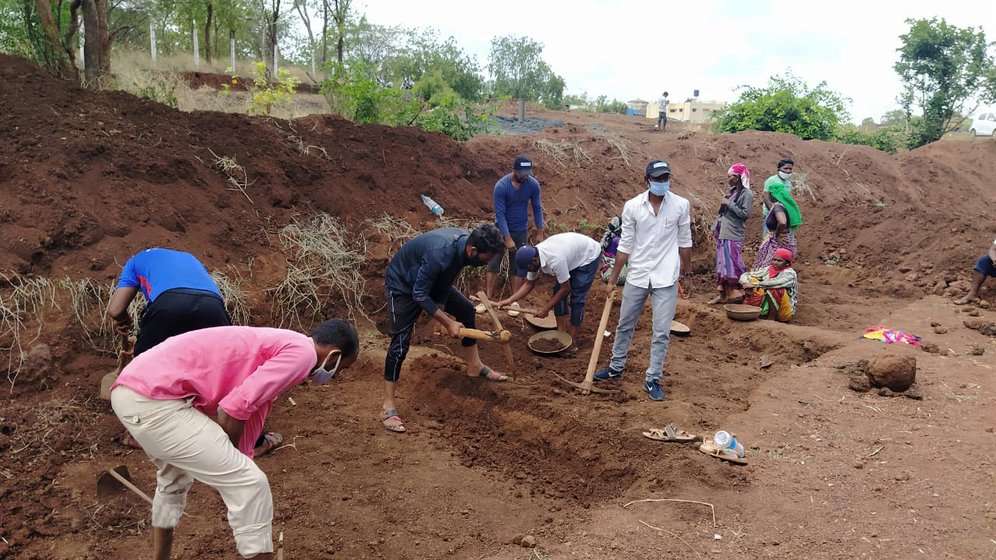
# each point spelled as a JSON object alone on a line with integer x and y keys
{"x": 420, "y": 278}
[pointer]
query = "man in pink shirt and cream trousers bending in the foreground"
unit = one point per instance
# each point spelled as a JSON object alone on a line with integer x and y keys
{"x": 196, "y": 404}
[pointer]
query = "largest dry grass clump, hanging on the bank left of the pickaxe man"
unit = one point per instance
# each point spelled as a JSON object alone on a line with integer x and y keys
{"x": 324, "y": 260}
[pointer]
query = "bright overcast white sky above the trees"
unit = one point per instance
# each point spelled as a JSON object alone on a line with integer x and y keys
{"x": 630, "y": 49}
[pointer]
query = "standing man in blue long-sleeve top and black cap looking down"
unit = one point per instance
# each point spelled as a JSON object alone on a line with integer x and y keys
{"x": 513, "y": 194}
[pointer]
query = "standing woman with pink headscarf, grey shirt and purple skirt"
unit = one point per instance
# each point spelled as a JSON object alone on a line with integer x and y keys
{"x": 729, "y": 230}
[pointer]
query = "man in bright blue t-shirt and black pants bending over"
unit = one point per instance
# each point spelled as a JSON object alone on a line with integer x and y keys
{"x": 180, "y": 293}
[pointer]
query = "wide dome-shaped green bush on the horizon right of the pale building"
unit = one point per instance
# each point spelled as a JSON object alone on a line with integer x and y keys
{"x": 786, "y": 104}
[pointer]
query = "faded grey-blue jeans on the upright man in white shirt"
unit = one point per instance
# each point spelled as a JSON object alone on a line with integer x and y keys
{"x": 665, "y": 301}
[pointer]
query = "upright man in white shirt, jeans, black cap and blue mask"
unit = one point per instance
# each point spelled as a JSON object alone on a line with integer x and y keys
{"x": 657, "y": 244}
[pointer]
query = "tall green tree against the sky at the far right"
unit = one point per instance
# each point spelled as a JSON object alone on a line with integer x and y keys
{"x": 946, "y": 72}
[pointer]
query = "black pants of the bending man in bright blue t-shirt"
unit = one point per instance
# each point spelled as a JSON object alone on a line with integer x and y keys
{"x": 178, "y": 311}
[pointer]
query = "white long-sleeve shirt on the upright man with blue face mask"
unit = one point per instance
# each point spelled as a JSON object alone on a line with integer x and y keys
{"x": 652, "y": 242}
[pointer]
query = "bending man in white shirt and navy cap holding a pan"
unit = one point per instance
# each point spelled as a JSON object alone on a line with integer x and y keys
{"x": 573, "y": 260}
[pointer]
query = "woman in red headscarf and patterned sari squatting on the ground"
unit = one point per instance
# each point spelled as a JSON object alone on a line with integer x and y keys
{"x": 774, "y": 289}
